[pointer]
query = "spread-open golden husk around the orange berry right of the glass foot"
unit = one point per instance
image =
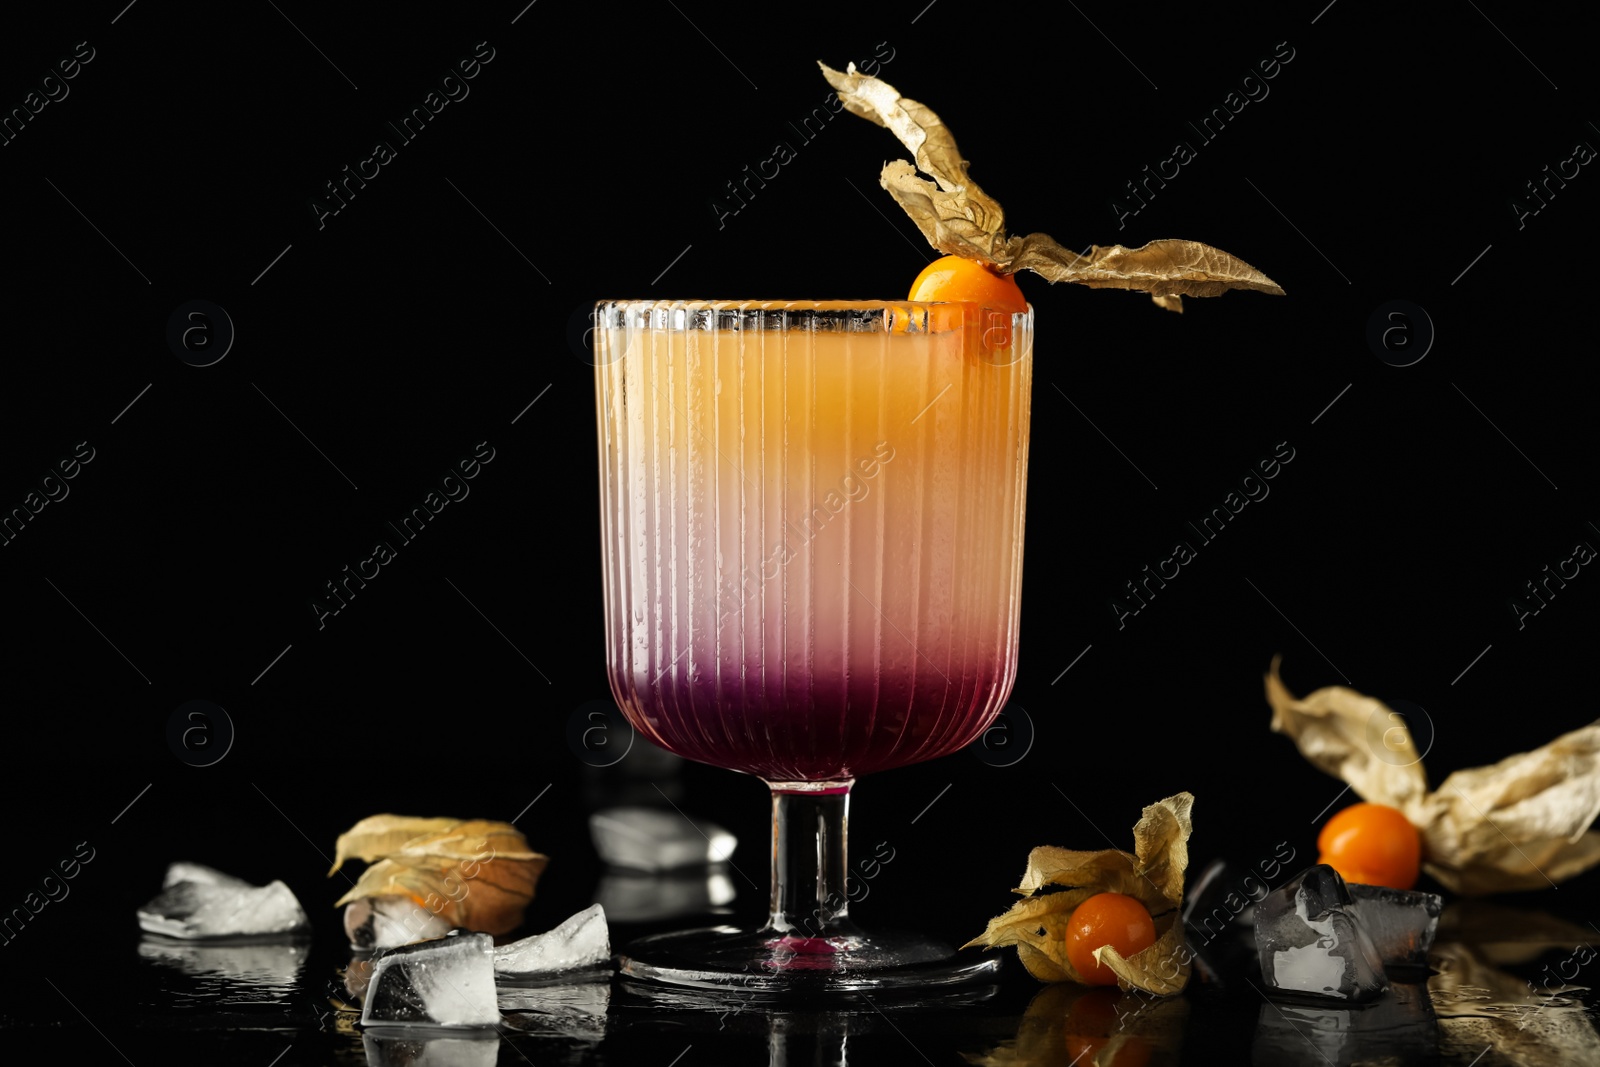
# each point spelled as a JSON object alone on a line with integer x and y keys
{"x": 1153, "y": 874}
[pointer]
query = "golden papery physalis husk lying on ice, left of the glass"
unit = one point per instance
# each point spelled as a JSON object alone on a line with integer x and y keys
{"x": 473, "y": 874}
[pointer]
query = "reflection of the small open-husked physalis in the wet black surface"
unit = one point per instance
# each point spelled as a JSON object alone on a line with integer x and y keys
{"x": 1044, "y": 1036}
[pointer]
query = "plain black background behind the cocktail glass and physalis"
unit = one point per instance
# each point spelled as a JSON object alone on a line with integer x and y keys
{"x": 415, "y": 324}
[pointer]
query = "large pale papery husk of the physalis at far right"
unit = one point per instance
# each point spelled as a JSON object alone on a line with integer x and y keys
{"x": 1519, "y": 825}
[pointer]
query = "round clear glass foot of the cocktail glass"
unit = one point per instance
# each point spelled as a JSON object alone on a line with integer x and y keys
{"x": 724, "y": 957}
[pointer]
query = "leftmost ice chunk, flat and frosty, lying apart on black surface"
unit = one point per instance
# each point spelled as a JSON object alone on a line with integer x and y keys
{"x": 222, "y": 906}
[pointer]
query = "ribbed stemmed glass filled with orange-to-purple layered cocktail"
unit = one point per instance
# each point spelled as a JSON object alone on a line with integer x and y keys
{"x": 814, "y": 554}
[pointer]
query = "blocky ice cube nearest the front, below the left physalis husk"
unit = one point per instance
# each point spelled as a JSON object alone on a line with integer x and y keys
{"x": 444, "y": 983}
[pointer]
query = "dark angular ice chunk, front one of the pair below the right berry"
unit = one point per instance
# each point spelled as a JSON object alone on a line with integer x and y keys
{"x": 1311, "y": 941}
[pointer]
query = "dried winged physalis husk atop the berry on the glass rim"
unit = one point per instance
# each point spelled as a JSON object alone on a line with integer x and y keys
{"x": 962, "y": 220}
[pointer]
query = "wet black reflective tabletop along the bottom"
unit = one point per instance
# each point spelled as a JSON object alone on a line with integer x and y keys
{"x": 1486, "y": 1004}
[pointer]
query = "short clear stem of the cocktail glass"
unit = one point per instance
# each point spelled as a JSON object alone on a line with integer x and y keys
{"x": 810, "y": 860}
